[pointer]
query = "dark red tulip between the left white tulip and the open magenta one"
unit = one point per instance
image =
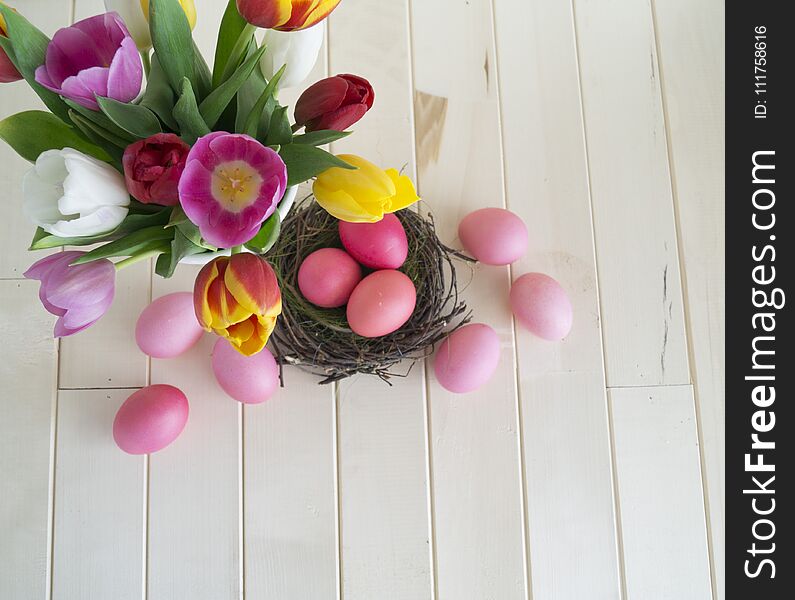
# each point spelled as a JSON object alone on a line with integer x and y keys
{"x": 152, "y": 168}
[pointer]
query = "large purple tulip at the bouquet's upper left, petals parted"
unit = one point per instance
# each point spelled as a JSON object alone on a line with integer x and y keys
{"x": 94, "y": 57}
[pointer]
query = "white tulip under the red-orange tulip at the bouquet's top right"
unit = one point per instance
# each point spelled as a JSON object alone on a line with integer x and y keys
{"x": 296, "y": 49}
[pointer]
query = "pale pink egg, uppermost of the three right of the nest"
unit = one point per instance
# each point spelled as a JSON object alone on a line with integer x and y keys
{"x": 494, "y": 236}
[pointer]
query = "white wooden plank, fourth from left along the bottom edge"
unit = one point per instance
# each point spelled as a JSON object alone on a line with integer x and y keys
{"x": 289, "y": 480}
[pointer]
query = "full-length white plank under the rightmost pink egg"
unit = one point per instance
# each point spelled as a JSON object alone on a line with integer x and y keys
{"x": 568, "y": 471}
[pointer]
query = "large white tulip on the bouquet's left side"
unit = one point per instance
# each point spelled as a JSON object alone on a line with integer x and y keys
{"x": 69, "y": 194}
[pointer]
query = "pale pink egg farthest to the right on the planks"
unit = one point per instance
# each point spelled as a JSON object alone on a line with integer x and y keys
{"x": 542, "y": 306}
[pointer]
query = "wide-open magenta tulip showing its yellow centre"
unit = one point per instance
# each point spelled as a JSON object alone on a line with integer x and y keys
{"x": 230, "y": 185}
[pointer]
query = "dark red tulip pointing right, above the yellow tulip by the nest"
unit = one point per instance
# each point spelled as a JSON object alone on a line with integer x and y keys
{"x": 334, "y": 103}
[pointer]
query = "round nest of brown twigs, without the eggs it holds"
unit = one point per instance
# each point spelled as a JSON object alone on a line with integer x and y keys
{"x": 319, "y": 340}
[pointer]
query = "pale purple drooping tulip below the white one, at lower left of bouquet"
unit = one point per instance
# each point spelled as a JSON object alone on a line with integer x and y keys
{"x": 77, "y": 295}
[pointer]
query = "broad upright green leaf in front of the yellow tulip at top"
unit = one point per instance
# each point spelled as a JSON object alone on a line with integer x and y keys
{"x": 173, "y": 42}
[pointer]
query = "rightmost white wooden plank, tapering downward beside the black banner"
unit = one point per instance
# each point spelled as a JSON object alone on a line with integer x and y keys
{"x": 690, "y": 38}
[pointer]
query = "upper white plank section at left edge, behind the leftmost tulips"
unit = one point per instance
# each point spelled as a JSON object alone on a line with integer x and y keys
{"x": 14, "y": 98}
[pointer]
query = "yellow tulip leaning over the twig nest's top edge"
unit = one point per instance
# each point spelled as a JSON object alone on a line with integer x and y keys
{"x": 363, "y": 195}
